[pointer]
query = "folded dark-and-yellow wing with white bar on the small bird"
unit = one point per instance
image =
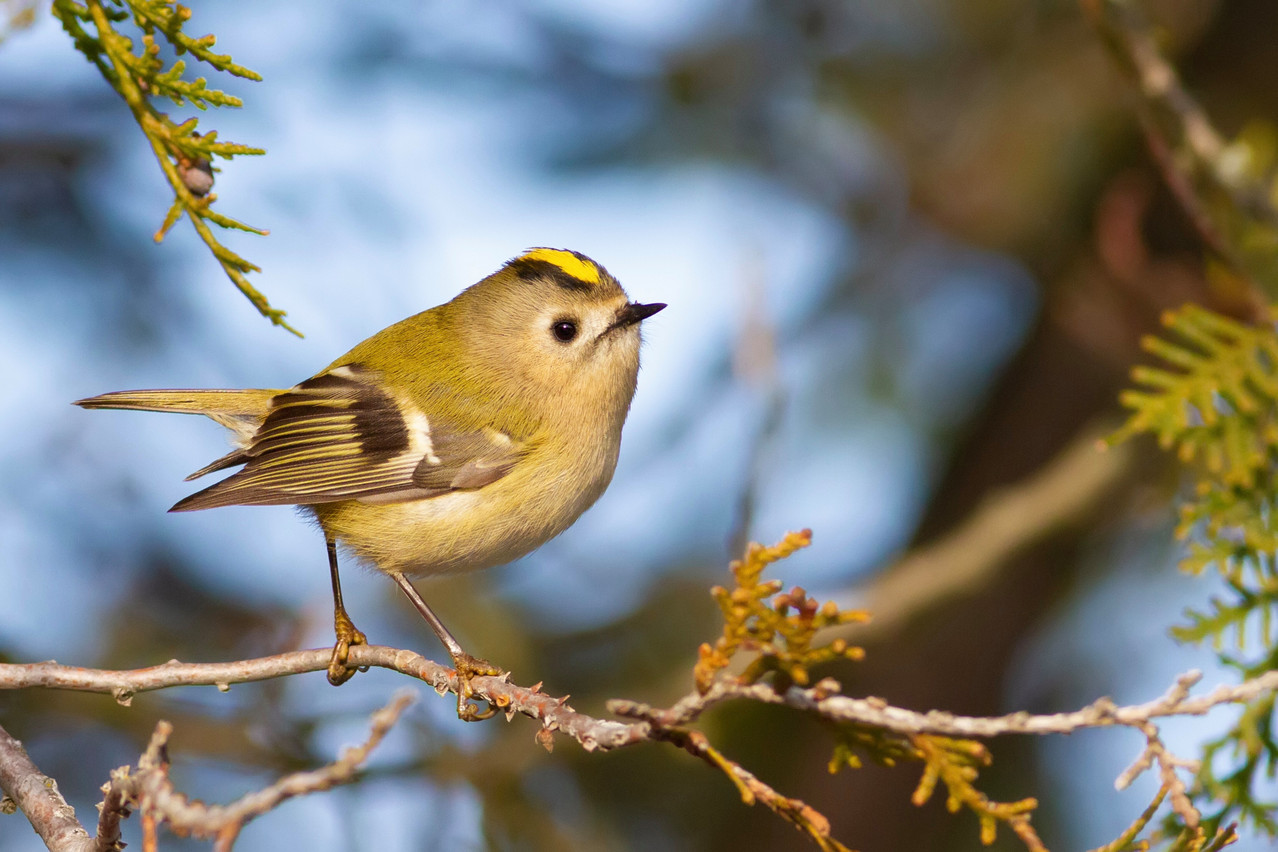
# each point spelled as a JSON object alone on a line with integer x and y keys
{"x": 341, "y": 436}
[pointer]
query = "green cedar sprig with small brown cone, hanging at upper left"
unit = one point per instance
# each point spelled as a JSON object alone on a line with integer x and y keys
{"x": 186, "y": 155}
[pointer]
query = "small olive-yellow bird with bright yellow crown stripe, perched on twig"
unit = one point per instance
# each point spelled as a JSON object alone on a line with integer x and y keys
{"x": 459, "y": 439}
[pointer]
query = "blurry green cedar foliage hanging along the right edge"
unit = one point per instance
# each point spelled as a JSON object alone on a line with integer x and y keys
{"x": 1216, "y": 407}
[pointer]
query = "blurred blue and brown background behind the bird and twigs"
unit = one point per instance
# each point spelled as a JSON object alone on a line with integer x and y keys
{"x": 909, "y": 250}
